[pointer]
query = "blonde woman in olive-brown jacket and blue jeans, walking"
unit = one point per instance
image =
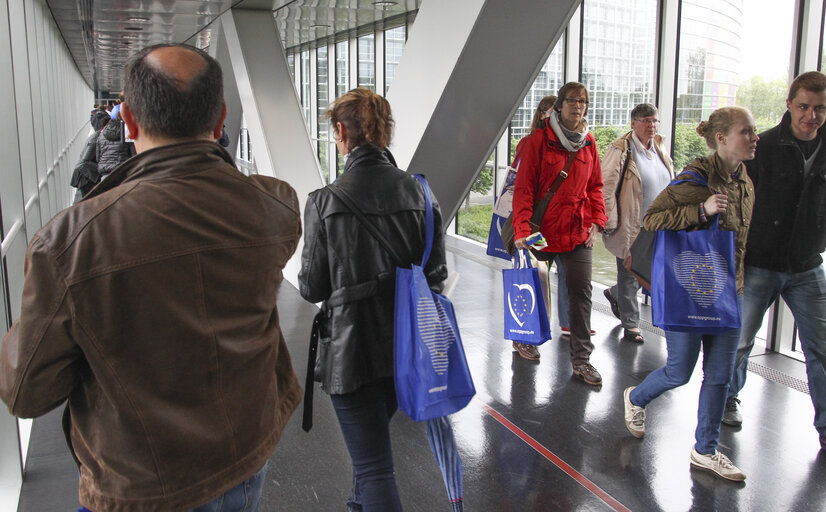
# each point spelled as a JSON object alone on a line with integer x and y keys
{"x": 730, "y": 132}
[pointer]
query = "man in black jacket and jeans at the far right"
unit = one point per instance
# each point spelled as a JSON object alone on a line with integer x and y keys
{"x": 787, "y": 236}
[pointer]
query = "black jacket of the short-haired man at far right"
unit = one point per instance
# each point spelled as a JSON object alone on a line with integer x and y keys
{"x": 788, "y": 227}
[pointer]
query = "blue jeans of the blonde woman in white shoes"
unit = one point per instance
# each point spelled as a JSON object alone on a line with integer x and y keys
{"x": 719, "y": 351}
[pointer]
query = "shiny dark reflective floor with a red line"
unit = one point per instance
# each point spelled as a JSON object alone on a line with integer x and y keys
{"x": 534, "y": 439}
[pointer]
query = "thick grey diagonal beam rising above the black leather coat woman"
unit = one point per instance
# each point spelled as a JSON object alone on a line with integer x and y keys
{"x": 466, "y": 67}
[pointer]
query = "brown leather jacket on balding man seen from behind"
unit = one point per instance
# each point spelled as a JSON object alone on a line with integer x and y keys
{"x": 151, "y": 306}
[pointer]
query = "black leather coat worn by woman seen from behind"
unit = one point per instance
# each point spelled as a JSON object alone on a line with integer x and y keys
{"x": 339, "y": 253}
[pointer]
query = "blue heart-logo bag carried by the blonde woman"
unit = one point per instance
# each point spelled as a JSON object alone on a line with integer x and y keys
{"x": 694, "y": 281}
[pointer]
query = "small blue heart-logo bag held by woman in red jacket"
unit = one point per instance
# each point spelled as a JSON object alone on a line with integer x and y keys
{"x": 526, "y": 318}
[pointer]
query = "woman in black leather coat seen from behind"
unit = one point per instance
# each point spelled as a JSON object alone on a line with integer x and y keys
{"x": 344, "y": 266}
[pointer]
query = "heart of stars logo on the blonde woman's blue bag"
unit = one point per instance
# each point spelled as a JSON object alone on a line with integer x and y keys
{"x": 703, "y": 276}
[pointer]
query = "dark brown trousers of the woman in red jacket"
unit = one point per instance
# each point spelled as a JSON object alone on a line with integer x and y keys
{"x": 577, "y": 268}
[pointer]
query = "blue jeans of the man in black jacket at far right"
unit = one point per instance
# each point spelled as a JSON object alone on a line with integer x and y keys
{"x": 805, "y": 294}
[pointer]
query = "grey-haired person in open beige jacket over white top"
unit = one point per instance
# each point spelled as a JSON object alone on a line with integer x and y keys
{"x": 635, "y": 169}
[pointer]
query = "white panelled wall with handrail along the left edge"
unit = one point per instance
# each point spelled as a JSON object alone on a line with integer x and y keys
{"x": 46, "y": 117}
